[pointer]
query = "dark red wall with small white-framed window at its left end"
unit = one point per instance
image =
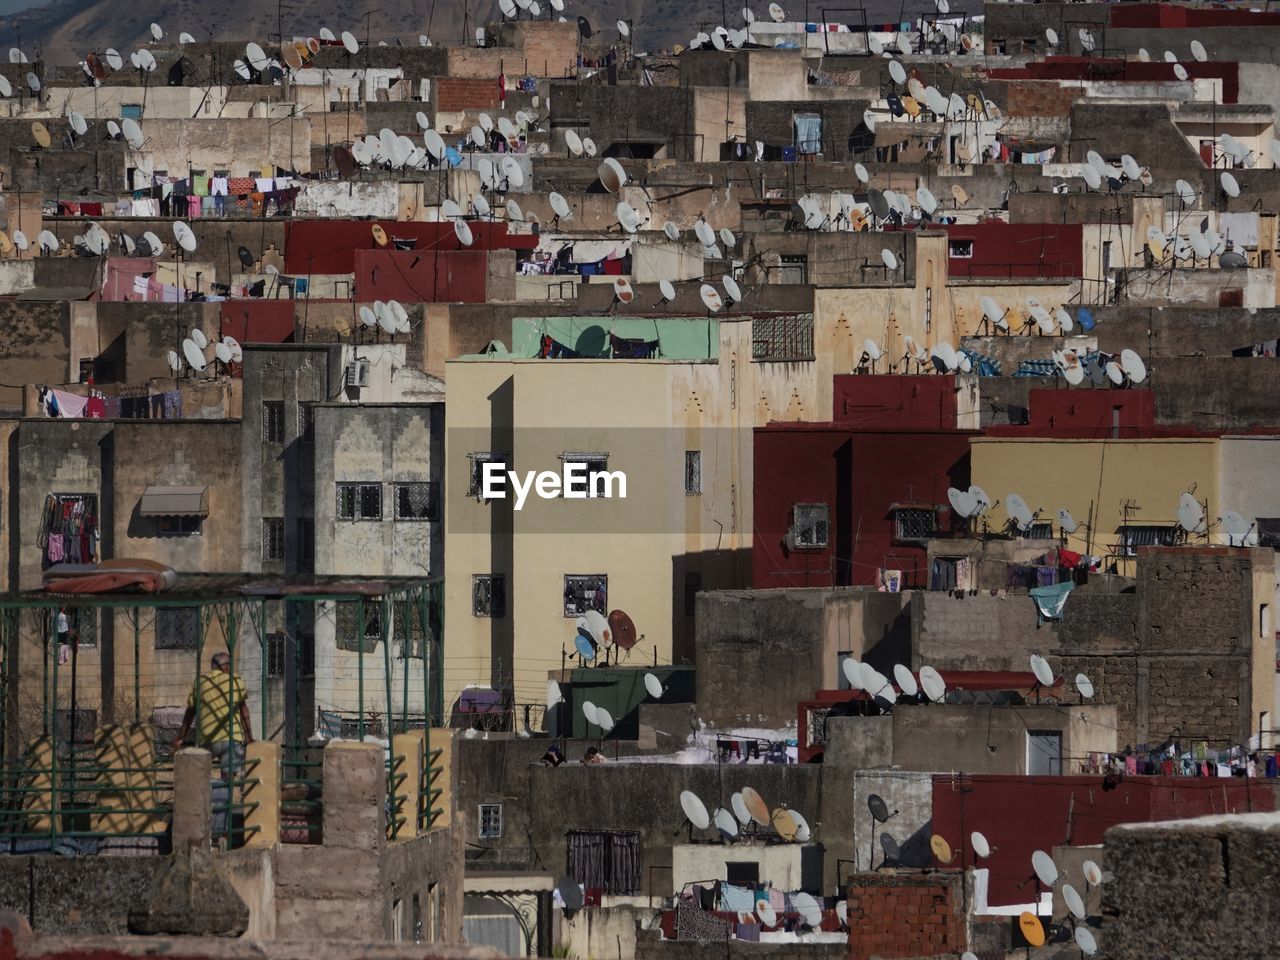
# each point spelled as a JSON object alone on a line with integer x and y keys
{"x": 1020, "y": 250}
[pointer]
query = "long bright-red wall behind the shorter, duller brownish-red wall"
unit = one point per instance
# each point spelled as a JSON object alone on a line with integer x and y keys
{"x": 330, "y": 246}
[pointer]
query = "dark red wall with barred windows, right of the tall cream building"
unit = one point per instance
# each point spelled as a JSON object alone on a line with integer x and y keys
{"x": 858, "y": 476}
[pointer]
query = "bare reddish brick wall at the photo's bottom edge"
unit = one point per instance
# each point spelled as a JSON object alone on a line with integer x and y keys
{"x": 904, "y": 917}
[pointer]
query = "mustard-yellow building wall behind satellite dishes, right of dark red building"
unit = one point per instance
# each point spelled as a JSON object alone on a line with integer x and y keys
{"x": 1123, "y": 493}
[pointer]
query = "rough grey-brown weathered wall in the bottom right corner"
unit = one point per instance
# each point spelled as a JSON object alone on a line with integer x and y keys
{"x": 1194, "y": 884}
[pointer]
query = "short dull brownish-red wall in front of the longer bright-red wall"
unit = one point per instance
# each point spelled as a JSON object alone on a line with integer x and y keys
{"x": 428, "y": 277}
